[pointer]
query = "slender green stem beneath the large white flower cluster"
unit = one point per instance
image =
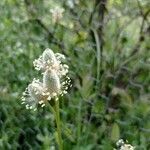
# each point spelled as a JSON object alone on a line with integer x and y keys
{"x": 58, "y": 123}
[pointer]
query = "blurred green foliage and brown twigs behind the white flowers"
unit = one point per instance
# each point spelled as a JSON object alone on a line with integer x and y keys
{"x": 107, "y": 46}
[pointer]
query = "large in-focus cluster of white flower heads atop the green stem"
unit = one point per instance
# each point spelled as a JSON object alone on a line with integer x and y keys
{"x": 55, "y": 81}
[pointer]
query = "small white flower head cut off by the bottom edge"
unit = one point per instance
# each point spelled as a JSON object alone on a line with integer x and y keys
{"x": 124, "y": 146}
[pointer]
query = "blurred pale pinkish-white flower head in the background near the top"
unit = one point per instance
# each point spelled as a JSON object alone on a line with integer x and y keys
{"x": 57, "y": 14}
